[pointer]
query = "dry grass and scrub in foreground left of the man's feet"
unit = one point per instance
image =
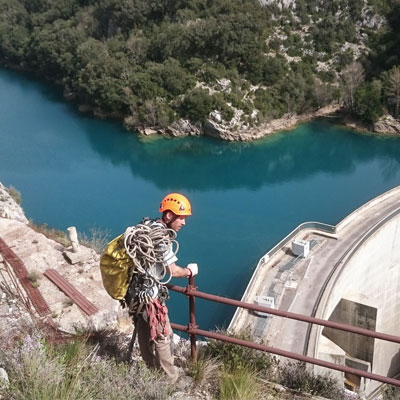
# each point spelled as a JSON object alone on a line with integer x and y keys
{"x": 41, "y": 370}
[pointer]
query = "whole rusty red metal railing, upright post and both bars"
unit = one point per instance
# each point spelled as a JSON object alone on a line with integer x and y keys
{"x": 191, "y": 292}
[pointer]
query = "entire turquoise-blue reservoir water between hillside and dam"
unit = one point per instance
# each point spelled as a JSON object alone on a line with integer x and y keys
{"x": 75, "y": 170}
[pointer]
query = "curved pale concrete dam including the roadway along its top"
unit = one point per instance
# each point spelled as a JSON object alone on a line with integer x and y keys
{"x": 348, "y": 273}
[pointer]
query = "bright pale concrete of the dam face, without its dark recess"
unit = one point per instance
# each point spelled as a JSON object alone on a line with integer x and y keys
{"x": 371, "y": 277}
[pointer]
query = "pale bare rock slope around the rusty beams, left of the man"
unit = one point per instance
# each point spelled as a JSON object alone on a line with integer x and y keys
{"x": 39, "y": 253}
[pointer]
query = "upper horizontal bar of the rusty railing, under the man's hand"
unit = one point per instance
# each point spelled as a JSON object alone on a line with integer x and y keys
{"x": 285, "y": 314}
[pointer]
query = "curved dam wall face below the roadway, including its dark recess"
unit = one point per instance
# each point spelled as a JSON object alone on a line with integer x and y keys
{"x": 365, "y": 292}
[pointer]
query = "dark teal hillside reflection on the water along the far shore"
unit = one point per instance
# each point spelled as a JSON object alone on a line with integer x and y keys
{"x": 203, "y": 163}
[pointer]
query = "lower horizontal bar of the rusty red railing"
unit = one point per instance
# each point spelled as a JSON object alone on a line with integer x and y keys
{"x": 287, "y": 354}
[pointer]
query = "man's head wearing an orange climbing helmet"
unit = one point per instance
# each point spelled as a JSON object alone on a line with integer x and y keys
{"x": 175, "y": 208}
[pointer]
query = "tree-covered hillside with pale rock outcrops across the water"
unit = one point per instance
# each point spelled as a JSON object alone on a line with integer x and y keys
{"x": 156, "y": 62}
